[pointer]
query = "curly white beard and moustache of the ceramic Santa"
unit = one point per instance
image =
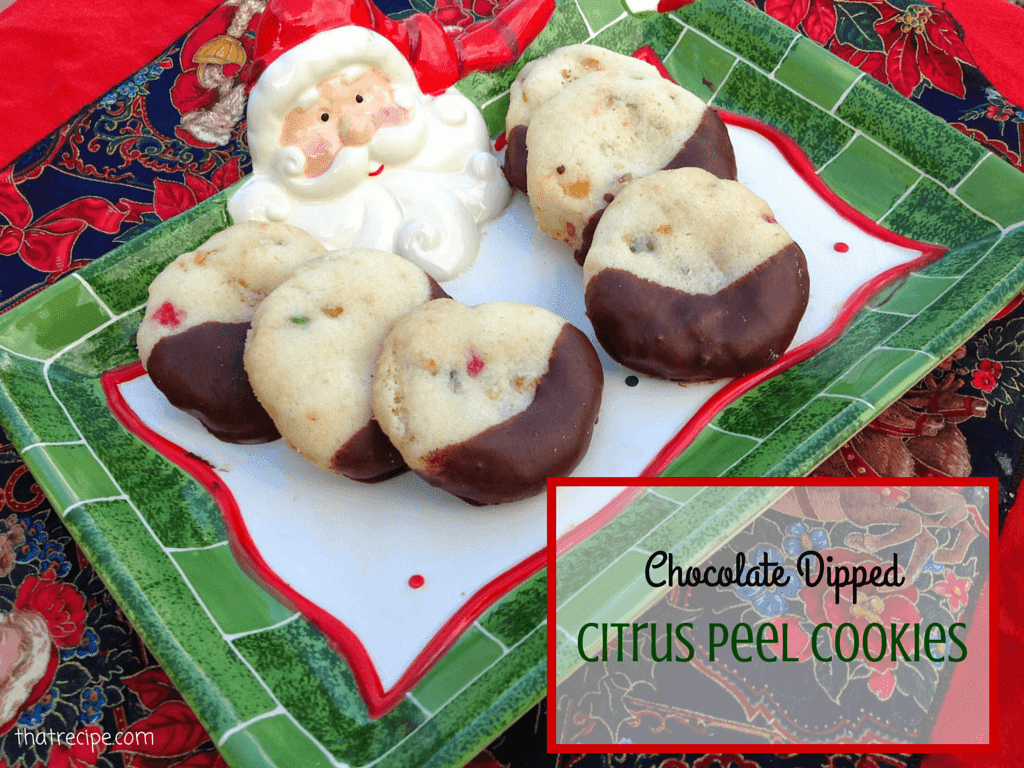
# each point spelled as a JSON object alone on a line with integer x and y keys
{"x": 440, "y": 183}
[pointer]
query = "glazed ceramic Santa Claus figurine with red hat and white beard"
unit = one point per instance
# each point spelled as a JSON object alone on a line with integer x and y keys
{"x": 361, "y": 148}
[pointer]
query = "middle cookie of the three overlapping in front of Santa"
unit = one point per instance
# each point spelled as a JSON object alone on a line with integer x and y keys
{"x": 313, "y": 352}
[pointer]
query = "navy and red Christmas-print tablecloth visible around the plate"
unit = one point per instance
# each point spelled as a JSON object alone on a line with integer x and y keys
{"x": 173, "y": 135}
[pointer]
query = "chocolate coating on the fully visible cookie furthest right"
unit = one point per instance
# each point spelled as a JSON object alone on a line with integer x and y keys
{"x": 671, "y": 334}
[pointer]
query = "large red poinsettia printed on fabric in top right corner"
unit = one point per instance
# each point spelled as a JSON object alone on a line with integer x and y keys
{"x": 922, "y": 41}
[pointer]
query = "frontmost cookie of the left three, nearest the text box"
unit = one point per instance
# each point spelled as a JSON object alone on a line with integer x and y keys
{"x": 487, "y": 403}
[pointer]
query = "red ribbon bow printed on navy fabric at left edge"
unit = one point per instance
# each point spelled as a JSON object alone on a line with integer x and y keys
{"x": 47, "y": 243}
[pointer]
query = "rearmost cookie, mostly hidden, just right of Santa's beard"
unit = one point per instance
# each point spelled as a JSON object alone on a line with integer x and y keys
{"x": 543, "y": 79}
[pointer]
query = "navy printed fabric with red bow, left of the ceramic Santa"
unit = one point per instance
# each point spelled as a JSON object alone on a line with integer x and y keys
{"x": 154, "y": 147}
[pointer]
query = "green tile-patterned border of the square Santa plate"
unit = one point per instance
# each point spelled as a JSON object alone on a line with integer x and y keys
{"x": 271, "y": 690}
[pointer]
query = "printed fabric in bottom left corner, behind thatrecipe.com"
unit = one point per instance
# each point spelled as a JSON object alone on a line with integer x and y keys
{"x": 70, "y": 663}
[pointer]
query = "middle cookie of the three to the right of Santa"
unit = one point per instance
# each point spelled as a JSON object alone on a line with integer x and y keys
{"x": 605, "y": 131}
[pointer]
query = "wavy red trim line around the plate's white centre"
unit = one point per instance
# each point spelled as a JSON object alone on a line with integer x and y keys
{"x": 379, "y": 702}
